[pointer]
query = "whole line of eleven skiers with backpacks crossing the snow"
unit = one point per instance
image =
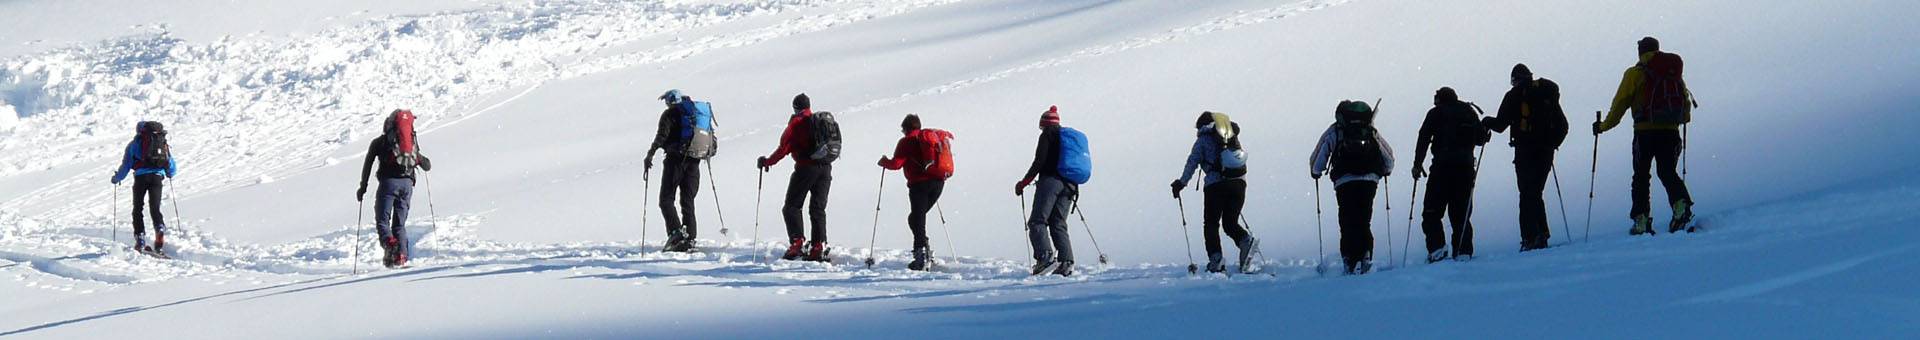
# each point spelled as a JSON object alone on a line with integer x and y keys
{"x": 1351, "y": 155}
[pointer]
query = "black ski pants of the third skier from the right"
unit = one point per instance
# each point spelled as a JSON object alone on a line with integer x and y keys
{"x": 1449, "y": 197}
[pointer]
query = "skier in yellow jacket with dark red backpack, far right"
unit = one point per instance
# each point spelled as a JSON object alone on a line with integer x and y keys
{"x": 1656, "y": 137}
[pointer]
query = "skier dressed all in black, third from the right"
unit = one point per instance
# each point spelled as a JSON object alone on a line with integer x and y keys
{"x": 1452, "y": 132}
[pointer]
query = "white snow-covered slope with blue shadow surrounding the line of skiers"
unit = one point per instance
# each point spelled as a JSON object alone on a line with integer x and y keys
{"x": 537, "y": 116}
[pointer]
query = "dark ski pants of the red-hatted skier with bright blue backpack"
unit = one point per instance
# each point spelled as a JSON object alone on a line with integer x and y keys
{"x": 1047, "y": 228}
